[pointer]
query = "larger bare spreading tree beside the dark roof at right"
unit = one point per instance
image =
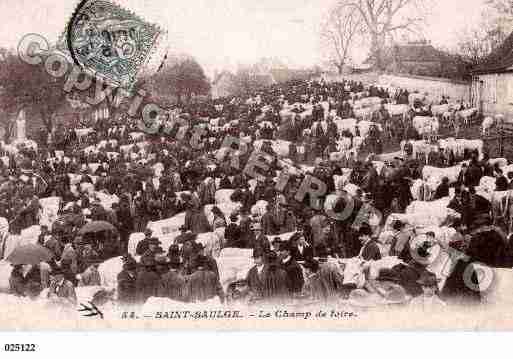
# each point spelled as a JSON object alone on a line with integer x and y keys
{"x": 384, "y": 18}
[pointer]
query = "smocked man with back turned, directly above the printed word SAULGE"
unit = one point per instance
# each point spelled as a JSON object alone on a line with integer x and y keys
{"x": 203, "y": 284}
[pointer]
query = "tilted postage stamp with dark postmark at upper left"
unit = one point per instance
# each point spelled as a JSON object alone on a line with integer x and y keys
{"x": 109, "y": 41}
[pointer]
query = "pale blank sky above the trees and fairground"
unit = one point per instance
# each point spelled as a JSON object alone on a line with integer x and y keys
{"x": 224, "y": 33}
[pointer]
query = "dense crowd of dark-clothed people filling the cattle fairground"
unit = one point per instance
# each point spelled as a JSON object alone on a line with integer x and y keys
{"x": 159, "y": 176}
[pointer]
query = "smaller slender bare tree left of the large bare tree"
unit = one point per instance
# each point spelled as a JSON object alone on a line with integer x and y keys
{"x": 338, "y": 34}
